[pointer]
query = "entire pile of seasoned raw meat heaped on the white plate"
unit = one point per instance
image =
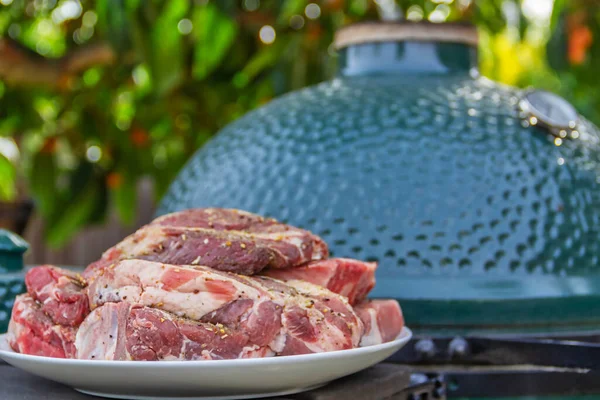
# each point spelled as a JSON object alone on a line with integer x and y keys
{"x": 185, "y": 287}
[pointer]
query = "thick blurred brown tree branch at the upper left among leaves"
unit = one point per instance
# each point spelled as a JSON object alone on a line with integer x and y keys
{"x": 20, "y": 66}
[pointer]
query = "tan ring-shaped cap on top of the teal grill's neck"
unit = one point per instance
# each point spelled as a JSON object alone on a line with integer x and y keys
{"x": 371, "y": 32}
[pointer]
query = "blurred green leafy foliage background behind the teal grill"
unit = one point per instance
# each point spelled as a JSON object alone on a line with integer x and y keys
{"x": 177, "y": 71}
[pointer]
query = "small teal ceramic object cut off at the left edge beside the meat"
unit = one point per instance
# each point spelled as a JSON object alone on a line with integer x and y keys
{"x": 12, "y": 248}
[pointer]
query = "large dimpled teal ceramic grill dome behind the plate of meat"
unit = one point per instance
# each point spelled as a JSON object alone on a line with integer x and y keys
{"x": 480, "y": 217}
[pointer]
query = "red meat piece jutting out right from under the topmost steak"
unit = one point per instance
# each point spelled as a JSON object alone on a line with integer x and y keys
{"x": 351, "y": 278}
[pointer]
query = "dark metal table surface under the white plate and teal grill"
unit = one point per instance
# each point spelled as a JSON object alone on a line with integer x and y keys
{"x": 464, "y": 367}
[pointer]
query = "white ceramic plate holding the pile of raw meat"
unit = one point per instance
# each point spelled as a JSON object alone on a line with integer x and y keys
{"x": 215, "y": 379}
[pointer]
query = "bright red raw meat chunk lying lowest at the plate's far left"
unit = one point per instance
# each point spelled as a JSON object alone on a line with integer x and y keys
{"x": 31, "y": 331}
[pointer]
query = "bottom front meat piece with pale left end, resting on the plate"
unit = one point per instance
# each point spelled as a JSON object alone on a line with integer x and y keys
{"x": 122, "y": 331}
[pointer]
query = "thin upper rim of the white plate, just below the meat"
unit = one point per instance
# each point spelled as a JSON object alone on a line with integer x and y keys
{"x": 401, "y": 340}
